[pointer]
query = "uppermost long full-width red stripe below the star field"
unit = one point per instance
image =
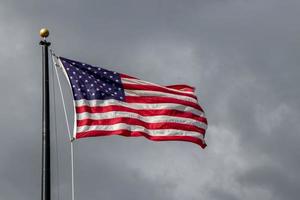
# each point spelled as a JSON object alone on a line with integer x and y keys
{"x": 144, "y": 112}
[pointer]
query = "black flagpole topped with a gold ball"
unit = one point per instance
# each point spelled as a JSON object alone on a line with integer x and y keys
{"x": 46, "y": 175}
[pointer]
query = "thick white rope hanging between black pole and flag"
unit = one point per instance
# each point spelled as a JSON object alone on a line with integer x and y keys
{"x": 68, "y": 127}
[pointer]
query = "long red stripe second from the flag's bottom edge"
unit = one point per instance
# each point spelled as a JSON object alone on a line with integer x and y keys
{"x": 133, "y": 121}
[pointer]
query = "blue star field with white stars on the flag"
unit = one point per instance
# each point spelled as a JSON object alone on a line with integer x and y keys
{"x": 92, "y": 83}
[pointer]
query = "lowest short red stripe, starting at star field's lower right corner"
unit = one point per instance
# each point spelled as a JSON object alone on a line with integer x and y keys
{"x": 155, "y": 99}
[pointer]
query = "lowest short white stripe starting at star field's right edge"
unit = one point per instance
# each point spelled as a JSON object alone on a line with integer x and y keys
{"x": 158, "y": 94}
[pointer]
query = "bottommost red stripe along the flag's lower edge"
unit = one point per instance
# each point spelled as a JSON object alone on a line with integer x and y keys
{"x": 128, "y": 133}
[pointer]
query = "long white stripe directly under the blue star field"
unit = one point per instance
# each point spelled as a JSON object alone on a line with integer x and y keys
{"x": 139, "y": 106}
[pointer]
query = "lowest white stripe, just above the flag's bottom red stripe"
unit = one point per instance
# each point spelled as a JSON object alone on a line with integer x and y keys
{"x": 164, "y": 132}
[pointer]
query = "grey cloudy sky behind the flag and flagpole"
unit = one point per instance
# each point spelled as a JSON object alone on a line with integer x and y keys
{"x": 241, "y": 55}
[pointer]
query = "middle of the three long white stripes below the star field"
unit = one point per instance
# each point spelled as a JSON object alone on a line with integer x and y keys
{"x": 147, "y": 119}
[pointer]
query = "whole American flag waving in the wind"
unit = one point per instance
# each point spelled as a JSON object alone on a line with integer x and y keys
{"x": 111, "y": 103}
